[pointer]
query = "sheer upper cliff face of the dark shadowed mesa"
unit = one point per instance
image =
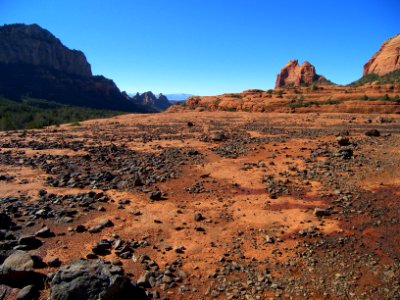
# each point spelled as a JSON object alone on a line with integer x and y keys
{"x": 33, "y": 45}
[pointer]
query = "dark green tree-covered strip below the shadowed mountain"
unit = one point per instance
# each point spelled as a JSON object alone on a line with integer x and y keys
{"x": 37, "y": 113}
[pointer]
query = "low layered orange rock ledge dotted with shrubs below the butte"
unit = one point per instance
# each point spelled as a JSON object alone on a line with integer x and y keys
{"x": 333, "y": 98}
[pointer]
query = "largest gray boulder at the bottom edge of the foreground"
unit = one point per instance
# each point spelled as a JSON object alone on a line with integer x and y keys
{"x": 92, "y": 280}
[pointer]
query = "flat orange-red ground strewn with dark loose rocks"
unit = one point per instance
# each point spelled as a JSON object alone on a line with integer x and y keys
{"x": 200, "y": 205}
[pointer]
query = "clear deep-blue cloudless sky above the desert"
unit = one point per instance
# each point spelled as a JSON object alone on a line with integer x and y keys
{"x": 208, "y": 47}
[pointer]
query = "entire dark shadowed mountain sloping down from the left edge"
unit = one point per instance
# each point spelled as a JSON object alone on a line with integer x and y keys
{"x": 34, "y": 63}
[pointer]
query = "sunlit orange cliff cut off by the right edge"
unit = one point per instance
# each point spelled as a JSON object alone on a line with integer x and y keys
{"x": 386, "y": 60}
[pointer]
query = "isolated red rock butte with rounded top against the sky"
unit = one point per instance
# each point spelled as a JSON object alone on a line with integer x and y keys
{"x": 294, "y": 74}
